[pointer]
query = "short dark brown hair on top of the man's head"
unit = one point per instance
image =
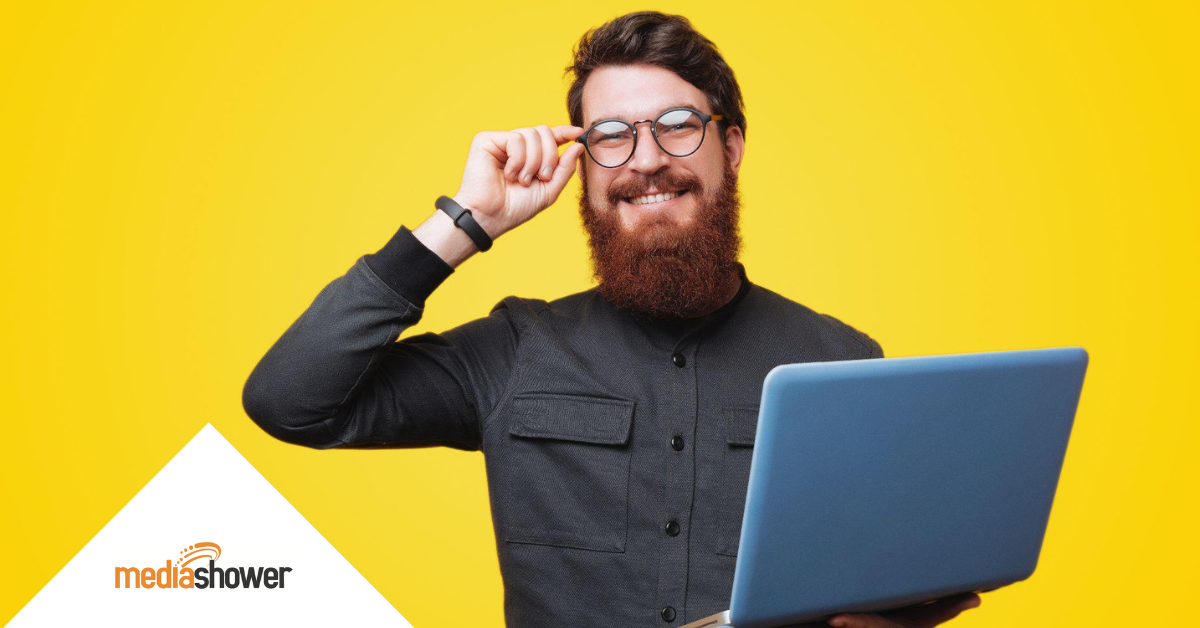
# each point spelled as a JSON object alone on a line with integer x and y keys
{"x": 665, "y": 41}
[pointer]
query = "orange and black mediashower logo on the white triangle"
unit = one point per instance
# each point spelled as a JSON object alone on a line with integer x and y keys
{"x": 181, "y": 576}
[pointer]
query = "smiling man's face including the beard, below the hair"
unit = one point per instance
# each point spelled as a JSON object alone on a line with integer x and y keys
{"x": 676, "y": 258}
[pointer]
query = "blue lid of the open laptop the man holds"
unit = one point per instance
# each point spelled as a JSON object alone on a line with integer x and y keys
{"x": 886, "y": 483}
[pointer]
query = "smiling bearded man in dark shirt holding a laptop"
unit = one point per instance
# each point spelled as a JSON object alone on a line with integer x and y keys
{"x": 617, "y": 423}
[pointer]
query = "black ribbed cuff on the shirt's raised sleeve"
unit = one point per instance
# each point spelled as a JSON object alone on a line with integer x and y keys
{"x": 410, "y": 267}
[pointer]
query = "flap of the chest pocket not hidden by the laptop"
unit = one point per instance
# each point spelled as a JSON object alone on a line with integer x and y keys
{"x": 580, "y": 418}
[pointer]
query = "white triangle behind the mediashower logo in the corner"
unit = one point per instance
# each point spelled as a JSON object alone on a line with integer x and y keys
{"x": 209, "y": 493}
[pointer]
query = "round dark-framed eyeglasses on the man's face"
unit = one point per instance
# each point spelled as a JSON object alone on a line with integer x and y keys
{"x": 679, "y": 133}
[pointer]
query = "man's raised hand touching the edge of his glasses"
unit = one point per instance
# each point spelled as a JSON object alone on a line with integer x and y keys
{"x": 512, "y": 176}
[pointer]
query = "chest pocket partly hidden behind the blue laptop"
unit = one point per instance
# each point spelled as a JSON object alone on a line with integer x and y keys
{"x": 741, "y": 423}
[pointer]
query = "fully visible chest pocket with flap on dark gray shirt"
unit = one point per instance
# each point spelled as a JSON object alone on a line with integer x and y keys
{"x": 569, "y": 463}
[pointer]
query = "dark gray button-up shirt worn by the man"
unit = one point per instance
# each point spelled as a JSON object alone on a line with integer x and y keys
{"x": 617, "y": 447}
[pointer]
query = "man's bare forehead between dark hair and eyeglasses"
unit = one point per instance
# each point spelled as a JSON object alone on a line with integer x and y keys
{"x": 637, "y": 93}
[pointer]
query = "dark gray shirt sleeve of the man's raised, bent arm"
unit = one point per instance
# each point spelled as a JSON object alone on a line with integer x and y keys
{"x": 339, "y": 378}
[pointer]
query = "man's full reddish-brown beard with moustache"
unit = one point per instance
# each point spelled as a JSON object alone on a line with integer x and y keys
{"x": 662, "y": 270}
